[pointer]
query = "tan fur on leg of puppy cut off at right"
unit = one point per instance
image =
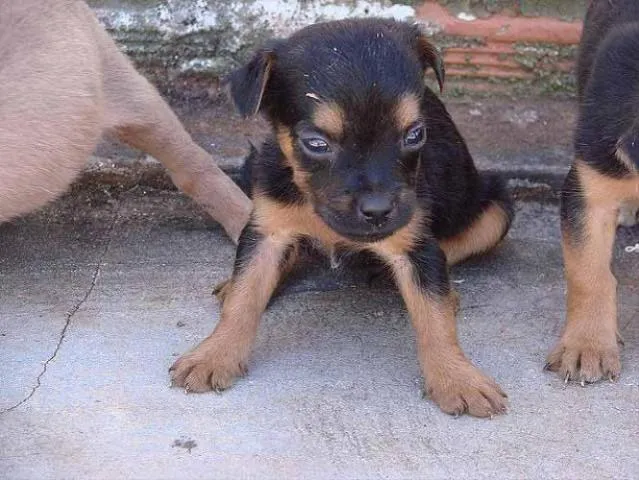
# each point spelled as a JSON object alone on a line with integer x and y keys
{"x": 587, "y": 350}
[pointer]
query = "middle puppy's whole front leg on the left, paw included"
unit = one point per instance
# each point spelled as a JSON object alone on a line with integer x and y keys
{"x": 222, "y": 356}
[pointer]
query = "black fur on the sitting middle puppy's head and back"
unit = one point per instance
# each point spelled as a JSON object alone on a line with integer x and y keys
{"x": 365, "y": 67}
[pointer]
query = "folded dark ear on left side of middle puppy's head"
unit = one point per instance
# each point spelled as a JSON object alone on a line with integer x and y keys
{"x": 248, "y": 83}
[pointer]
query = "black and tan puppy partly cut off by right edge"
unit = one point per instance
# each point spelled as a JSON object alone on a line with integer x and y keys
{"x": 603, "y": 179}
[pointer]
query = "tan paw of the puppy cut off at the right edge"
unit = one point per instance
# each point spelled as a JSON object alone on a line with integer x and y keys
{"x": 585, "y": 358}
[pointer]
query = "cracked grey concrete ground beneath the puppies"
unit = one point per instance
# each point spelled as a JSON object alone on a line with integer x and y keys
{"x": 100, "y": 292}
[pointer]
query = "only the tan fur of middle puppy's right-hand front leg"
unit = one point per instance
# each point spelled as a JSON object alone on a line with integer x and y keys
{"x": 451, "y": 380}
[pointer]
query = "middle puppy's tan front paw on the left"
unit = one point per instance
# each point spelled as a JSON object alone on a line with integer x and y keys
{"x": 206, "y": 369}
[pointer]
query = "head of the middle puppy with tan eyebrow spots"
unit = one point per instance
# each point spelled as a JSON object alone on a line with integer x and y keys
{"x": 345, "y": 101}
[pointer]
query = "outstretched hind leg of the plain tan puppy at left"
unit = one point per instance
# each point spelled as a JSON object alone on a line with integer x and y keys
{"x": 139, "y": 117}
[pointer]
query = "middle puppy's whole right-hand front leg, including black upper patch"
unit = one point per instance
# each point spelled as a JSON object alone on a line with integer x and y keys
{"x": 451, "y": 380}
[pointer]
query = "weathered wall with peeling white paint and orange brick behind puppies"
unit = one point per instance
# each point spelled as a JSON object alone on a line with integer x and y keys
{"x": 179, "y": 42}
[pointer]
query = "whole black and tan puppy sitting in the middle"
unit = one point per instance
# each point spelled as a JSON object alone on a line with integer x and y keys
{"x": 363, "y": 157}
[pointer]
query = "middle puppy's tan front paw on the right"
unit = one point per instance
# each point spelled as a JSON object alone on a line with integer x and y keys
{"x": 467, "y": 390}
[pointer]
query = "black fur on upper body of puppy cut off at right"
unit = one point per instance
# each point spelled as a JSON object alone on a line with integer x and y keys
{"x": 608, "y": 82}
